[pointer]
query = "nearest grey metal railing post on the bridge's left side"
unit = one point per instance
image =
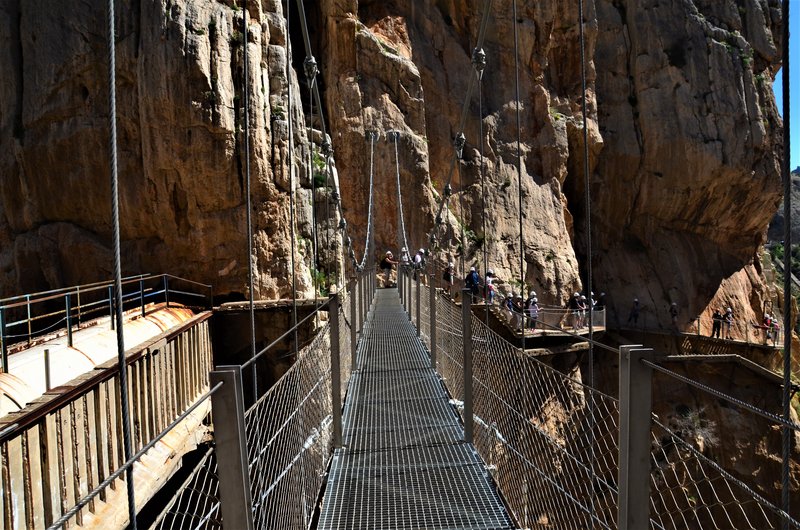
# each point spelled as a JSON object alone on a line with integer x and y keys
{"x": 227, "y": 407}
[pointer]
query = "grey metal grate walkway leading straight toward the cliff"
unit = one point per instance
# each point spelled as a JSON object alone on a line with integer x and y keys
{"x": 404, "y": 463}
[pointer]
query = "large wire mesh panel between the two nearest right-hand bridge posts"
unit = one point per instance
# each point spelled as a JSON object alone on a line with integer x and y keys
{"x": 550, "y": 440}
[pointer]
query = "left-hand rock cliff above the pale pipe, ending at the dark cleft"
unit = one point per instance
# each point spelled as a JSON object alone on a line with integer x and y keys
{"x": 181, "y": 162}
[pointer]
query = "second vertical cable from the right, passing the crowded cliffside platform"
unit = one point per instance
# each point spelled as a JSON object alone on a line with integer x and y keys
{"x": 588, "y": 235}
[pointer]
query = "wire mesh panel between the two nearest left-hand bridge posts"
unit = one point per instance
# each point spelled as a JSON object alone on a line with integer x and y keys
{"x": 288, "y": 434}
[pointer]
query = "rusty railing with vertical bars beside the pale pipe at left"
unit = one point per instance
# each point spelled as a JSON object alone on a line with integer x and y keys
{"x": 67, "y": 443}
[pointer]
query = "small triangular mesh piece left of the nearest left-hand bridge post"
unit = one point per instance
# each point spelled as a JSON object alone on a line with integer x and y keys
{"x": 196, "y": 503}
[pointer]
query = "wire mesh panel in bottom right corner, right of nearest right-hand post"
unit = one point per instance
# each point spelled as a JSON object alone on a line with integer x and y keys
{"x": 689, "y": 490}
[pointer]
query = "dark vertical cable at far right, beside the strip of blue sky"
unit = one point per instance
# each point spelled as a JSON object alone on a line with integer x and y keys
{"x": 787, "y": 276}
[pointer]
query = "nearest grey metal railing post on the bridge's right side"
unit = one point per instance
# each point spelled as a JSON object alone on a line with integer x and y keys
{"x": 635, "y": 403}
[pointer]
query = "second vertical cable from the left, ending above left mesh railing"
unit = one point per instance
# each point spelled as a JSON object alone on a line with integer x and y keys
{"x": 248, "y": 201}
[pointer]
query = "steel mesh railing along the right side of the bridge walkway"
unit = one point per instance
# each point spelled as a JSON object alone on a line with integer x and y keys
{"x": 552, "y": 446}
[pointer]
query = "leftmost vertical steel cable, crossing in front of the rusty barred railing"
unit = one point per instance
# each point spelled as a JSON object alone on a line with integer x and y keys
{"x": 121, "y": 361}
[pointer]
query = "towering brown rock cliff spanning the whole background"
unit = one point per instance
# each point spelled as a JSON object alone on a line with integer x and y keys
{"x": 682, "y": 132}
